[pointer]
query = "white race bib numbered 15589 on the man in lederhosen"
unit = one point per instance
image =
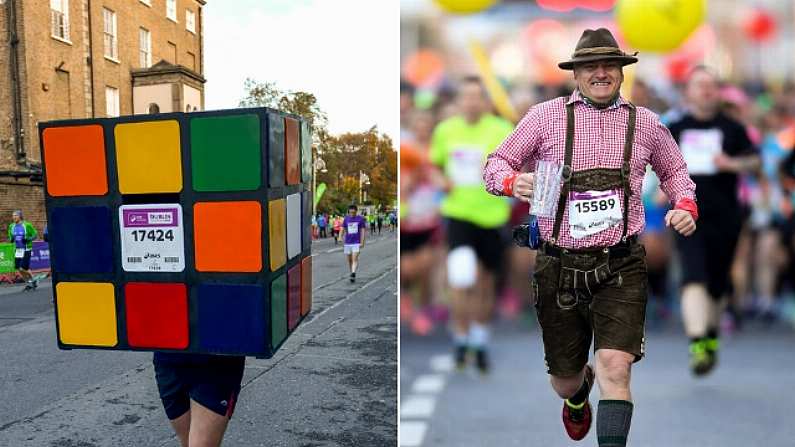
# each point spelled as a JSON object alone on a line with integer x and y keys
{"x": 593, "y": 211}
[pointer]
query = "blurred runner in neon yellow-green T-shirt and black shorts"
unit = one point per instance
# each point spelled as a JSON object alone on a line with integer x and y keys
{"x": 459, "y": 147}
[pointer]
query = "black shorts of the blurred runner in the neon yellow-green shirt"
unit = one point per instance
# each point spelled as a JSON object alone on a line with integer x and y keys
{"x": 487, "y": 242}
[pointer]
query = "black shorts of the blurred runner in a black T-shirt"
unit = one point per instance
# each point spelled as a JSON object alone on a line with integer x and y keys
{"x": 707, "y": 255}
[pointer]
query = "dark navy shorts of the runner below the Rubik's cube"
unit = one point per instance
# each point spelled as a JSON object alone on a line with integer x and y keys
{"x": 211, "y": 380}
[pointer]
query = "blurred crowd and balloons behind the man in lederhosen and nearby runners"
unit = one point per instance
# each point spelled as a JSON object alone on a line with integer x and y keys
{"x": 514, "y": 46}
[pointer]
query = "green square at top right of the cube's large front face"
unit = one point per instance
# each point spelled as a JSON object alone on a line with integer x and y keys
{"x": 225, "y": 153}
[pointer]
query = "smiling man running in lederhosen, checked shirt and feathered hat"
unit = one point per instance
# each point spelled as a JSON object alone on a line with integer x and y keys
{"x": 590, "y": 277}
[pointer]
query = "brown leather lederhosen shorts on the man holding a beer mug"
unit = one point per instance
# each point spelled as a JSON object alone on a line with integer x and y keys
{"x": 609, "y": 308}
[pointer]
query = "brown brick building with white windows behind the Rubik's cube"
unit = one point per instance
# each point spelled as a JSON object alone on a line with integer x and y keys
{"x": 65, "y": 59}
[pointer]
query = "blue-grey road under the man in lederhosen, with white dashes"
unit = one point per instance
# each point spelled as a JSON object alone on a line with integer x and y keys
{"x": 746, "y": 402}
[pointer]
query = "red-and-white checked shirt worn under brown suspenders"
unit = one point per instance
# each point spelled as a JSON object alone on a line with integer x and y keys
{"x": 598, "y": 143}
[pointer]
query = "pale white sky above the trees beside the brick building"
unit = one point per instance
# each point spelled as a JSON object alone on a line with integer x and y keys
{"x": 345, "y": 52}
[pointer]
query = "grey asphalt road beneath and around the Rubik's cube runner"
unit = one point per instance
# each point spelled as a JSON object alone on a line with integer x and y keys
{"x": 334, "y": 383}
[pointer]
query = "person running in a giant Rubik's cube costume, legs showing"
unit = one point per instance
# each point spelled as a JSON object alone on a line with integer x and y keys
{"x": 184, "y": 234}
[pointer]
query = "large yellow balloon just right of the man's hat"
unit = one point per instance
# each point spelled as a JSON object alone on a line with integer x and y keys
{"x": 658, "y": 25}
